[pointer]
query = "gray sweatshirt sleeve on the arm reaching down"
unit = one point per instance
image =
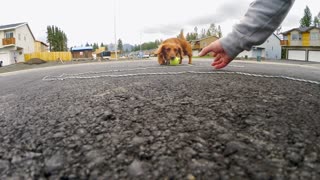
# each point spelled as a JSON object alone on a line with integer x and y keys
{"x": 260, "y": 21}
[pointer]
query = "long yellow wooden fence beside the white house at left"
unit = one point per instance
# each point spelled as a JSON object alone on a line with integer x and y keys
{"x": 49, "y": 56}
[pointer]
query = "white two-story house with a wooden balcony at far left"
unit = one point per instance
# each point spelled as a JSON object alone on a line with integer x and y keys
{"x": 17, "y": 40}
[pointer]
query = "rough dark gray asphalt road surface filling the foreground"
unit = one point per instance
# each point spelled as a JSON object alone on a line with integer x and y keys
{"x": 139, "y": 120}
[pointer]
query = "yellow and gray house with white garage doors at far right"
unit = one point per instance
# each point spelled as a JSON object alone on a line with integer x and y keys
{"x": 302, "y": 44}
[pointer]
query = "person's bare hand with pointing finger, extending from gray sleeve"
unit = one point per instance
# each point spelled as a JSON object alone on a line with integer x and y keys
{"x": 221, "y": 57}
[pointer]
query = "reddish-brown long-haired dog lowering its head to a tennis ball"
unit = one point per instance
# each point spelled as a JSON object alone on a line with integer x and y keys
{"x": 172, "y": 48}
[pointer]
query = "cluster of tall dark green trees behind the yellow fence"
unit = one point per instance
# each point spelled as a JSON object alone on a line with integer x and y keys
{"x": 56, "y": 39}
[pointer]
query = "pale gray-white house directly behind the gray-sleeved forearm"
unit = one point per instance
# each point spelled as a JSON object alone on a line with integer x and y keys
{"x": 270, "y": 49}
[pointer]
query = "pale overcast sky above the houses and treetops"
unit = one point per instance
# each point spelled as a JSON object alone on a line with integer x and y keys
{"x": 136, "y": 20}
